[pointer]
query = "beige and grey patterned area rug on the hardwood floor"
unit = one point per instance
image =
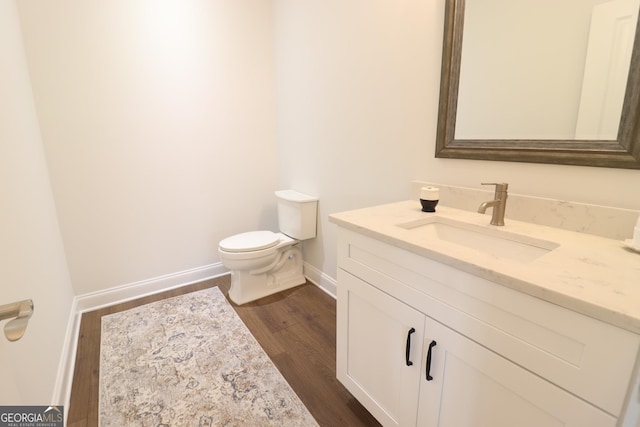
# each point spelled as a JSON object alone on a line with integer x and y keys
{"x": 190, "y": 361}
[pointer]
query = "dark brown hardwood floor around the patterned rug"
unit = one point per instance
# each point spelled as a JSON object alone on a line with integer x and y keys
{"x": 296, "y": 328}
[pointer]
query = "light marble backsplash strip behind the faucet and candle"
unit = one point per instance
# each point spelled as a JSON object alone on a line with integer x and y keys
{"x": 603, "y": 221}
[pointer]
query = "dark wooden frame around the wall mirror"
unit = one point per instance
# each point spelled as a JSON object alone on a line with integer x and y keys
{"x": 621, "y": 153}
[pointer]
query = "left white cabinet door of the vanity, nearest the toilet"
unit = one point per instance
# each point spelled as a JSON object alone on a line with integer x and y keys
{"x": 379, "y": 344}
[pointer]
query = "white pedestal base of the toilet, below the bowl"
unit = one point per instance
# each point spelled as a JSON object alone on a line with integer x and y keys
{"x": 247, "y": 287}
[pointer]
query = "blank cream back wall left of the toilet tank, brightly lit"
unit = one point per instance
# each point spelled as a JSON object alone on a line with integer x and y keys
{"x": 158, "y": 119}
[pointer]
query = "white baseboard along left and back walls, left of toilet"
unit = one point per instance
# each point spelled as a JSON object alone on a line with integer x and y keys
{"x": 96, "y": 300}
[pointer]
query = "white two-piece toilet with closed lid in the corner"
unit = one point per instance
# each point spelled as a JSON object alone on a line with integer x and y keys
{"x": 263, "y": 262}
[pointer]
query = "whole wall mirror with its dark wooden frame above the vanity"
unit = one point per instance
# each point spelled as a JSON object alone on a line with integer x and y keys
{"x": 563, "y": 125}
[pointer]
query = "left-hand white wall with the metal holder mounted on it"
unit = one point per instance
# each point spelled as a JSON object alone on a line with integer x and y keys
{"x": 32, "y": 260}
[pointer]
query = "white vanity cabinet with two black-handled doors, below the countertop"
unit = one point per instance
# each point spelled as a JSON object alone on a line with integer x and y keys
{"x": 420, "y": 343}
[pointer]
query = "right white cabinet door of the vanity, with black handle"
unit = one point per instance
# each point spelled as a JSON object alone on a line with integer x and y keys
{"x": 474, "y": 387}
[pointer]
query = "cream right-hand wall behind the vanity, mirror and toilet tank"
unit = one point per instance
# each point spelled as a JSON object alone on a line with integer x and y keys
{"x": 358, "y": 88}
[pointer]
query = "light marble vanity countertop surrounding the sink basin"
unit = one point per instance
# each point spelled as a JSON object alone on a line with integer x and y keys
{"x": 592, "y": 275}
